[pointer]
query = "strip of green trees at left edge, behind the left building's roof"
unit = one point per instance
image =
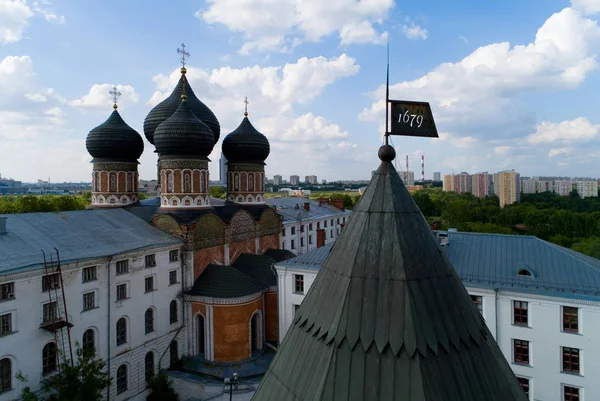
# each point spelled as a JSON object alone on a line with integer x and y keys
{"x": 42, "y": 203}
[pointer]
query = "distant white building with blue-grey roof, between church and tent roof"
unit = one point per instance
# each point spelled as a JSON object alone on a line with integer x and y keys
{"x": 309, "y": 223}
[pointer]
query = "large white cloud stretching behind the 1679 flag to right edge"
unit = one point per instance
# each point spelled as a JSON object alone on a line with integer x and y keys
{"x": 474, "y": 96}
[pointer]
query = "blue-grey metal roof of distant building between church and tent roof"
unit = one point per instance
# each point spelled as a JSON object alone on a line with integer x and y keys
{"x": 292, "y": 208}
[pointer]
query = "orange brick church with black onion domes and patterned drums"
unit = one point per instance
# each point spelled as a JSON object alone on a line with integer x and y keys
{"x": 230, "y": 290}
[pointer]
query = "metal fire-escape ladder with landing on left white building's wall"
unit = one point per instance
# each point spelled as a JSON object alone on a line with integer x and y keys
{"x": 55, "y": 318}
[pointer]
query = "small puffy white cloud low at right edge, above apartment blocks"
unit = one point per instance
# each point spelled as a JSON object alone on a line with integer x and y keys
{"x": 579, "y": 129}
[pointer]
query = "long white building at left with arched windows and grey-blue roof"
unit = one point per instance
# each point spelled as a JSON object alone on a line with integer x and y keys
{"x": 121, "y": 280}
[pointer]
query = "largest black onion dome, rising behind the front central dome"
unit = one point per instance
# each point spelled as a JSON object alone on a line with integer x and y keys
{"x": 167, "y": 107}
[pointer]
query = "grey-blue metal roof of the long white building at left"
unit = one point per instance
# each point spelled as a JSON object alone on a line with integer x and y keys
{"x": 78, "y": 235}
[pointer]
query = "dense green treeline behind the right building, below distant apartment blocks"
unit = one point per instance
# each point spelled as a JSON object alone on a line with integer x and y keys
{"x": 564, "y": 220}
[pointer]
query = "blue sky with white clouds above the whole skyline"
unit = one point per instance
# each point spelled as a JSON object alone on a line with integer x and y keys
{"x": 512, "y": 84}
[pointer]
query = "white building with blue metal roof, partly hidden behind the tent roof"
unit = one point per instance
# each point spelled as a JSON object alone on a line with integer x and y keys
{"x": 540, "y": 301}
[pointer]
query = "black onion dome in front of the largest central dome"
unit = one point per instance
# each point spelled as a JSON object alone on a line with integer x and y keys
{"x": 183, "y": 134}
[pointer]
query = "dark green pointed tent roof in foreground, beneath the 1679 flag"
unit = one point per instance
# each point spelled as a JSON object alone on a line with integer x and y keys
{"x": 388, "y": 318}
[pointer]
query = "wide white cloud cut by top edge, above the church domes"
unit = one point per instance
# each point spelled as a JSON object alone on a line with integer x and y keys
{"x": 271, "y": 25}
